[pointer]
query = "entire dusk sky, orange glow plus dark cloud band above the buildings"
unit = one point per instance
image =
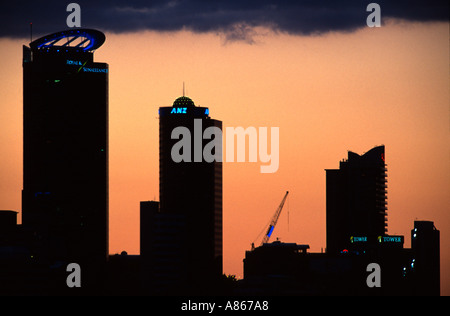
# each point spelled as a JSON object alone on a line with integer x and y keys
{"x": 312, "y": 68}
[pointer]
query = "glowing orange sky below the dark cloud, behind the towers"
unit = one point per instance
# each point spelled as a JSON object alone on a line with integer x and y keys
{"x": 405, "y": 116}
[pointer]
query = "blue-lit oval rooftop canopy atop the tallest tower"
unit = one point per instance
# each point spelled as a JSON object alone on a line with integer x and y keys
{"x": 84, "y": 39}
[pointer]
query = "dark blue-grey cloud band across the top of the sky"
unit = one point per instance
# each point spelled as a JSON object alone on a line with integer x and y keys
{"x": 235, "y": 18}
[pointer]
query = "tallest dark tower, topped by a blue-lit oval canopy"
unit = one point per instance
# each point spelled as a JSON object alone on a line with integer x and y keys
{"x": 65, "y": 153}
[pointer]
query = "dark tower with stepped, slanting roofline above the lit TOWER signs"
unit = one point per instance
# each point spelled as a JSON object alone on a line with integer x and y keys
{"x": 356, "y": 199}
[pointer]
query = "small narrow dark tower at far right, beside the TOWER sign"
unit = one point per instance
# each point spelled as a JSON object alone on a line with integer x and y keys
{"x": 425, "y": 265}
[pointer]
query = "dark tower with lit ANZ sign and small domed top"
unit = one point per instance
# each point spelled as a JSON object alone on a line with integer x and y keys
{"x": 192, "y": 189}
